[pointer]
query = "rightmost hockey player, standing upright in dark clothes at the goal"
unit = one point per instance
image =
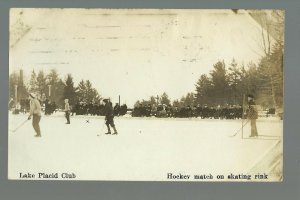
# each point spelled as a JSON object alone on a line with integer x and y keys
{"x": 252, "y": 115}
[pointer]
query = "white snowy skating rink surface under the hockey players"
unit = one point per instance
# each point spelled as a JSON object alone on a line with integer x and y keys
{"x": 146, "y": 149}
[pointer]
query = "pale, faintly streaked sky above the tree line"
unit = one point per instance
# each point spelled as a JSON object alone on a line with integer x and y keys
{"x": 132, "y": 53}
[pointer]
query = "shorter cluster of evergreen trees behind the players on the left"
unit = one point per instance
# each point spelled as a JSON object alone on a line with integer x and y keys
{"x": 53, "y": 88}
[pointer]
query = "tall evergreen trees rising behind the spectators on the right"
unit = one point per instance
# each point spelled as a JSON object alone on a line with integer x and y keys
{"x": 228, "y": 84}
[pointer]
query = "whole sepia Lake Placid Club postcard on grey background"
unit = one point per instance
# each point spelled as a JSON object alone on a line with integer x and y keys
{"x": 146, "y": 94}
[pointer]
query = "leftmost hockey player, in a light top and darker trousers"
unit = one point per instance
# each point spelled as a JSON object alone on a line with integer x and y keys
{"x": 35, "y": 112}
